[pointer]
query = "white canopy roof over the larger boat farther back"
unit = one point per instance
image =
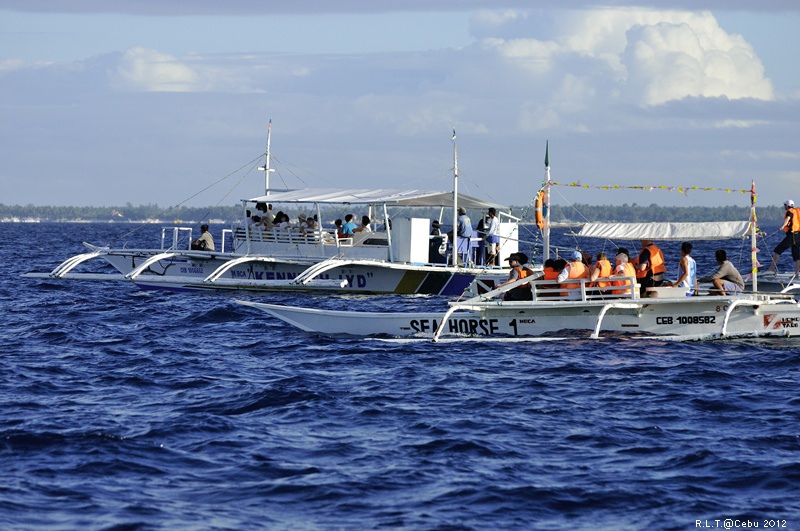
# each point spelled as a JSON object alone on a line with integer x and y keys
{"x": 420, "y": 198}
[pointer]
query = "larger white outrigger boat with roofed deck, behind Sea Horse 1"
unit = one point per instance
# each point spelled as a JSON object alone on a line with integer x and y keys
{"x": 401, "y": 258}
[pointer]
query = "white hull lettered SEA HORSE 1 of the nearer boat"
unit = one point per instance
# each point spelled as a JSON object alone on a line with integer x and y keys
{"x": 698, "y": 317}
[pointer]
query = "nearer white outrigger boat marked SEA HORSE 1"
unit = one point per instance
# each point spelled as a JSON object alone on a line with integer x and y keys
{"x": 556, "y": 312}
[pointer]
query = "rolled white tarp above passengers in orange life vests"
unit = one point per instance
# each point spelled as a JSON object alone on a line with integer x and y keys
{"x": 663, "y": 231}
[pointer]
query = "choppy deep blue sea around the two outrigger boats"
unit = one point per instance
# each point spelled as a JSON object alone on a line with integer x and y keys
{"x": 125, "y": 409}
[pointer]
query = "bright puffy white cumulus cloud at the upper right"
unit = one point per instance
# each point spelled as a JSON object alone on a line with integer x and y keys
{"x": 642, "y": 56}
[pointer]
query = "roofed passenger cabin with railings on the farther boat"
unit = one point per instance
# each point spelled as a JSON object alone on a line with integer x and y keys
{"x": 401, "y": 232}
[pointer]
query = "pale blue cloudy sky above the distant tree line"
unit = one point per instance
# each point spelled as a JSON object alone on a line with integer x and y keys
{"x": 115, "y": 102}
